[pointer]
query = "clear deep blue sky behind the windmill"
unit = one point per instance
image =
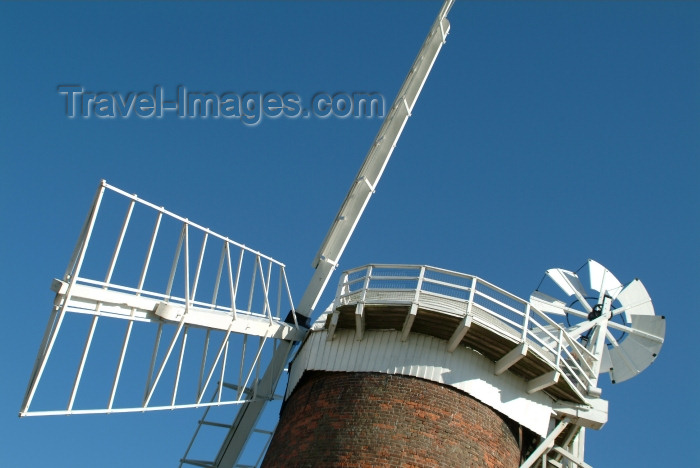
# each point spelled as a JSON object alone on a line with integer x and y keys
{"x": 548, "y": 133}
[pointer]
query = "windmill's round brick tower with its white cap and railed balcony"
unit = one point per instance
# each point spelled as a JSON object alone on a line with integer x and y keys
{"x": 416, "y": 366}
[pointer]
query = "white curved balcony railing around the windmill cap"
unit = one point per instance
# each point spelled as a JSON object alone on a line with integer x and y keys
{"x": 458, "y": 294}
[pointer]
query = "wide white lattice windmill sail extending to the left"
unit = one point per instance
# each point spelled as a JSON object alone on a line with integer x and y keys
{"x": 150, "y": 288}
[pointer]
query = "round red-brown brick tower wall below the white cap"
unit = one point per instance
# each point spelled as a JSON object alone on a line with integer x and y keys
{"x": 366, "y": 419}
